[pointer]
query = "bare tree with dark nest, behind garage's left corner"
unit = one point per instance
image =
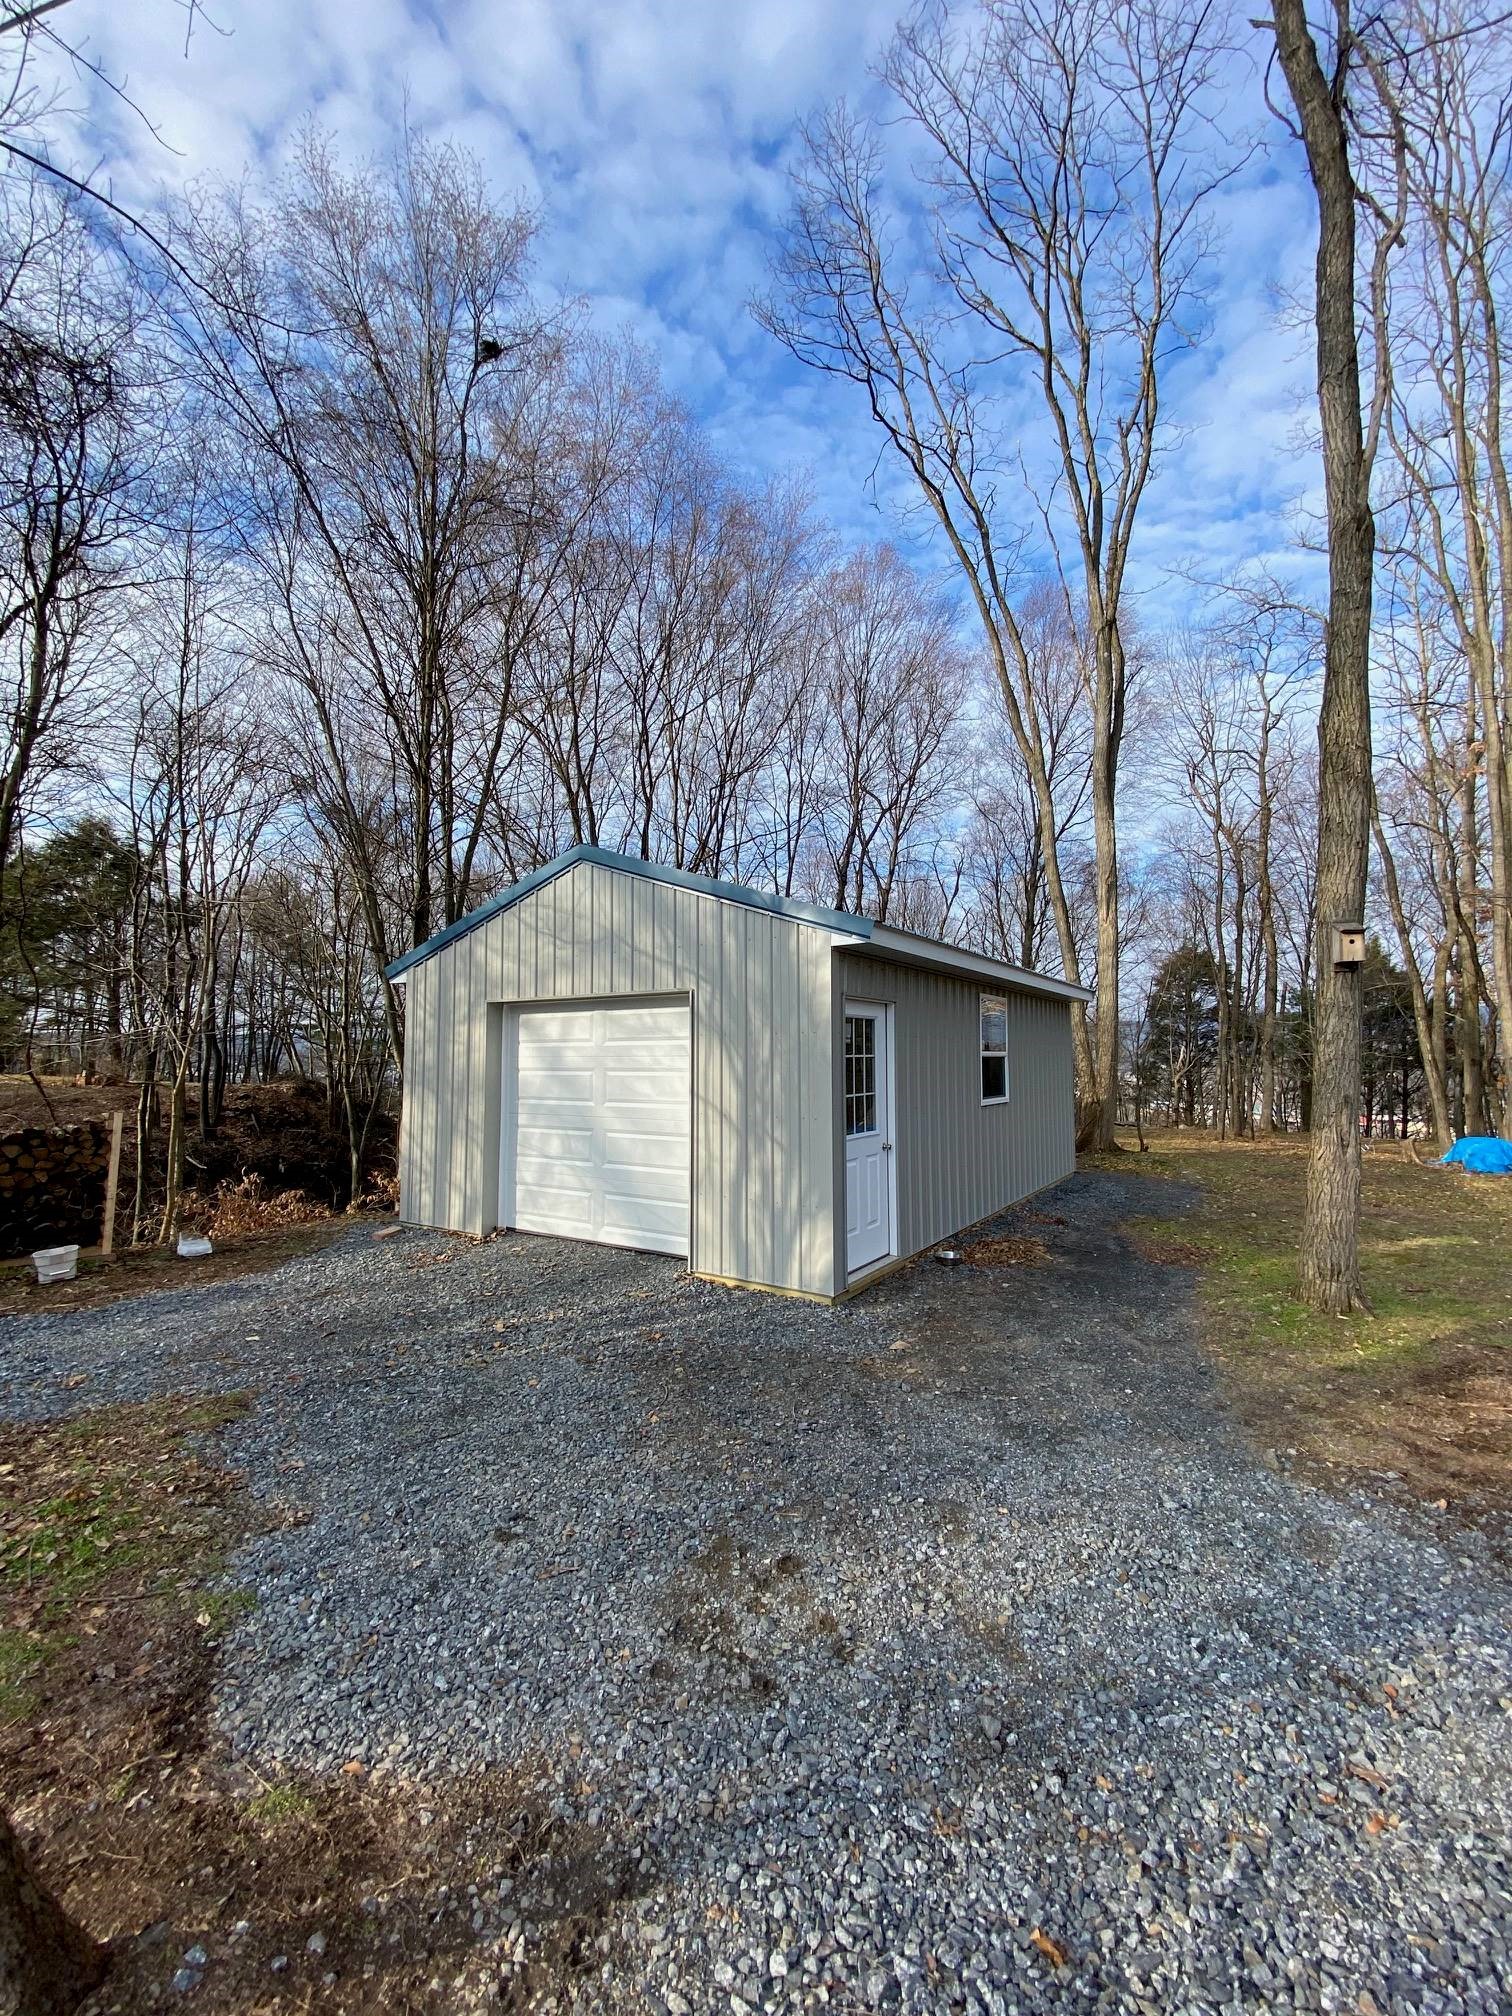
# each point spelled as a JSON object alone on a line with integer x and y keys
{"x": 372, "y": 346}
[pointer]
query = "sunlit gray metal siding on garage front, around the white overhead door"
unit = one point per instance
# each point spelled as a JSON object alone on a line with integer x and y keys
{"x": 763, "y": 1065}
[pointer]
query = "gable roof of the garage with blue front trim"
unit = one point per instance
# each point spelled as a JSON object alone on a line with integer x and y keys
{"x": 862, "y": 934}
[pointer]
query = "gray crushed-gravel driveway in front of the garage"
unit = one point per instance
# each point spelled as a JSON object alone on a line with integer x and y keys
{"x": 944, "y": 1650}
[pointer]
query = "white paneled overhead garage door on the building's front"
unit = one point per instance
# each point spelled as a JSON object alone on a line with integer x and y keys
{"x": 604, "y": 1102}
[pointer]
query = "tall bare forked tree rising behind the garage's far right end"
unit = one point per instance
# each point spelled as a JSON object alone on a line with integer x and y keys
{"x": 1067, "y": 233}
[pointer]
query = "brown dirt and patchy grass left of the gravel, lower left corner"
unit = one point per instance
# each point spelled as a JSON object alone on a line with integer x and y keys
{"x": 253, "y": 1892}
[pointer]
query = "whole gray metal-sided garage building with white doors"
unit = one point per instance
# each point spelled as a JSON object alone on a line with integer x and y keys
{"x": 787, "y": 1096}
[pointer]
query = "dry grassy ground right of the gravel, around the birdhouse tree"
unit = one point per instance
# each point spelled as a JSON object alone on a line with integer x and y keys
{"x": 1422, "y": 1386}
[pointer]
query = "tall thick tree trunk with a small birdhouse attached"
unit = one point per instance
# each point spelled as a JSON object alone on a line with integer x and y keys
{"x": 1330, "y": 1259}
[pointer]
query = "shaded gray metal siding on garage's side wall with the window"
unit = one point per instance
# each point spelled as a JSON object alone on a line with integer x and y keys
{"x": 959, "y": 1160}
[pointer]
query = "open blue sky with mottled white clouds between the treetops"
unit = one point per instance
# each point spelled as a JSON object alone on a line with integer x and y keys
{"x": 654, "y": 140}
